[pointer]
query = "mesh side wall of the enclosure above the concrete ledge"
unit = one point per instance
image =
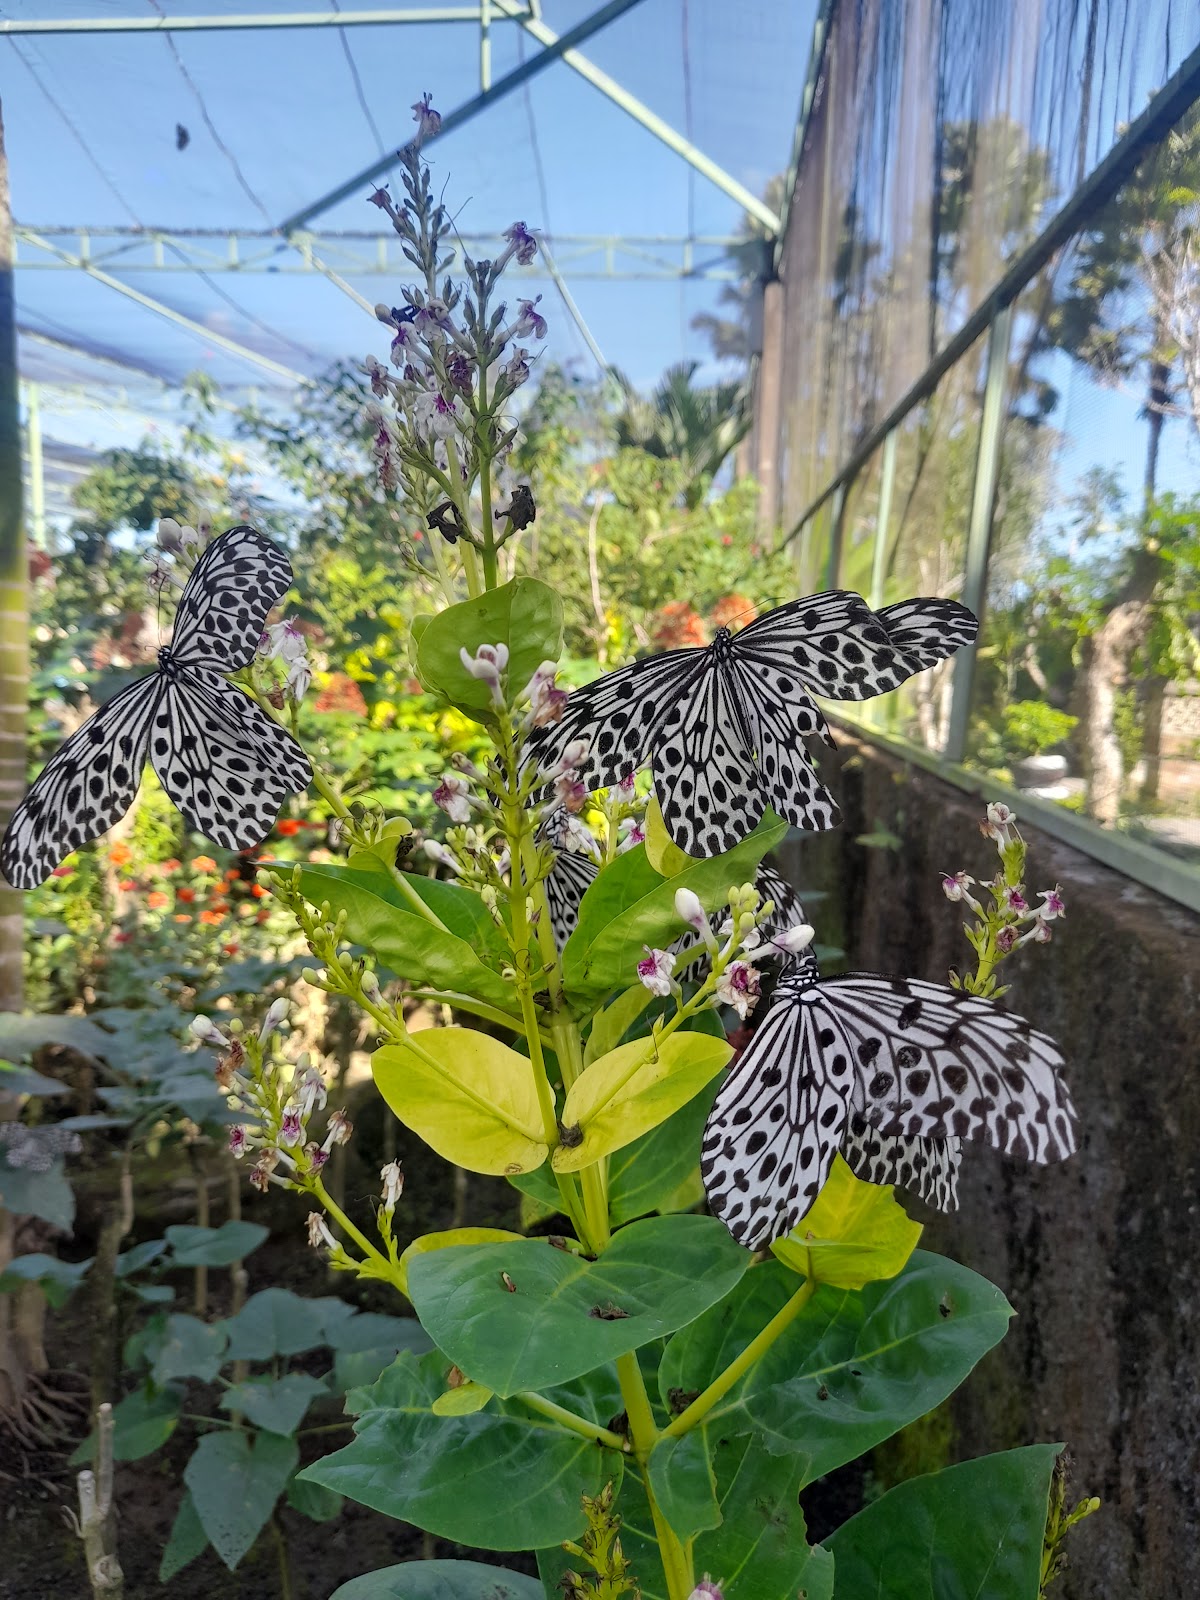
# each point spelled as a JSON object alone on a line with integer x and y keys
{"x": 980, "y": 377}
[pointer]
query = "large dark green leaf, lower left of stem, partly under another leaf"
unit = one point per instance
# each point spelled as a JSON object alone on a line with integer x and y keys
{"x": 500, "y": 1479}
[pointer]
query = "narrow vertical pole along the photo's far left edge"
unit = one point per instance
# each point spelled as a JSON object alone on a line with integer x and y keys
{"x": 14, "y": 602}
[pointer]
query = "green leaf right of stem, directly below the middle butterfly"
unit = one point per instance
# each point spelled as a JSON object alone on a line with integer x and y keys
{"x": 630, "y": 906}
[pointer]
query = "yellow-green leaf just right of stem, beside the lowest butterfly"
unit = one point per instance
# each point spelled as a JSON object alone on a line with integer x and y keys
{"x": 633, "y": 1090}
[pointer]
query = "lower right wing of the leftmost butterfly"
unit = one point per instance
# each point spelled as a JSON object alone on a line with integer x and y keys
{"x": 223, "y": 761}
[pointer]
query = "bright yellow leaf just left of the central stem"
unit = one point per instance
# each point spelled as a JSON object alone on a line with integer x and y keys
{"x": 468, "y": 1097}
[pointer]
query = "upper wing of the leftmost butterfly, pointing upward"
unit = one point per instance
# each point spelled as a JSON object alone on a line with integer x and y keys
{"x": 226, "y": 601}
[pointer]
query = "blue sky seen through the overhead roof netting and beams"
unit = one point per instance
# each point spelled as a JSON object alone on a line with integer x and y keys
{"x": 274, "y": 119}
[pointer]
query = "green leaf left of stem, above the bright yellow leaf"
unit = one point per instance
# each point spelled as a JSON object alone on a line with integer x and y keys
{"x": 382, "y": 918}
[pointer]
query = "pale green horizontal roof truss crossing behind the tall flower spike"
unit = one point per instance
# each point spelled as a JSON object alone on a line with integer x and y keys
{"x": 364, "y": 254}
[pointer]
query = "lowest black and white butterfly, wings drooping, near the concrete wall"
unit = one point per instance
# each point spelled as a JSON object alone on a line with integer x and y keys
{"x": 894, "y": 1071}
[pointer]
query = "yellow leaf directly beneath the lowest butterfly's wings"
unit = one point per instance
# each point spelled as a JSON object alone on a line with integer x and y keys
{"x": 855, "y": 1234}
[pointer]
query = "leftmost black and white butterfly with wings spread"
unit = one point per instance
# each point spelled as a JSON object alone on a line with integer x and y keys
{"x": 218, "y": 756}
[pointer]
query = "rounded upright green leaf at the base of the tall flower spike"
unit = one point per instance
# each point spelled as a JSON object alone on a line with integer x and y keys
{"x": 524, "y": 615}
